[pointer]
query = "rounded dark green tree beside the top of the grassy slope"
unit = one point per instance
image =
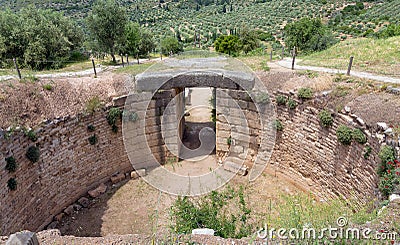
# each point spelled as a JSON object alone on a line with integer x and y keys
{"x": 308, "y": 35}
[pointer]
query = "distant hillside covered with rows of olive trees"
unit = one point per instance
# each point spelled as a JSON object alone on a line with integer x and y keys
{"x": 210, "y": 18}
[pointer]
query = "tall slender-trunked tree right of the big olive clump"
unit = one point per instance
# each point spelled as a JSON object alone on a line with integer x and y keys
{"x": 106, "y": 24}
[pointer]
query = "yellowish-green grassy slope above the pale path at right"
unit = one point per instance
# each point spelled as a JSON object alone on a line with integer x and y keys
{"x": 380, "y": 56}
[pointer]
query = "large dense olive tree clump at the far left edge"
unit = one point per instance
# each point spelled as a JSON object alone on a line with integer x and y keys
{"x": 38, "y": 38}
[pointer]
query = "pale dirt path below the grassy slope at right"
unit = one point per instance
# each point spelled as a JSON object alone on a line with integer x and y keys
{"x": 287, "y": 63}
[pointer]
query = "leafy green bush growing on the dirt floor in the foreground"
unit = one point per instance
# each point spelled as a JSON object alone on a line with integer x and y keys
{"x": 214, "y": 211}
